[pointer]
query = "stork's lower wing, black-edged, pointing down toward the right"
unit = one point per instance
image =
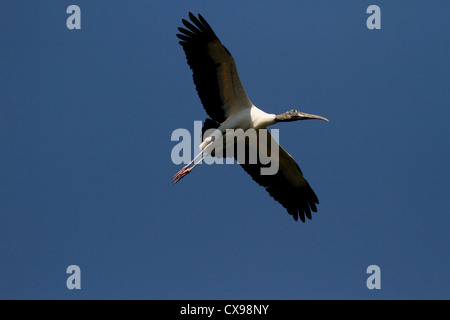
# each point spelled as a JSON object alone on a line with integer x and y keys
{"x": 287, "y": 186}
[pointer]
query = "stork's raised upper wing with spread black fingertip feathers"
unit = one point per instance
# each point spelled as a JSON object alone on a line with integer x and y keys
{"x": 214, "y": 70}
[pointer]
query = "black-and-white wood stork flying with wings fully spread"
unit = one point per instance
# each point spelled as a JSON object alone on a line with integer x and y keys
{"x": 225, "y": 101}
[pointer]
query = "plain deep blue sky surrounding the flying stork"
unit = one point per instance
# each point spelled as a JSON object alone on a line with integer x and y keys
{"x": 86, "y": 118}
